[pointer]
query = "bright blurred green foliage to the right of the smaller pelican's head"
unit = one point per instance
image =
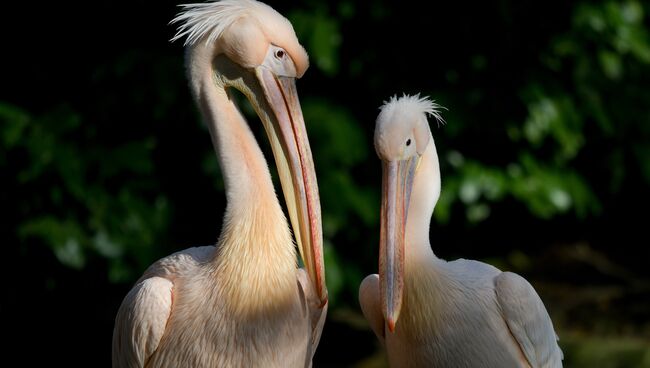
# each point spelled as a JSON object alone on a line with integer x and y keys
{"x": 606, "y": 43}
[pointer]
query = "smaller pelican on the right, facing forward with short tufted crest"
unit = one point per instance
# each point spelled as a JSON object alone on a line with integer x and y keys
{"x": 428, "y": 312}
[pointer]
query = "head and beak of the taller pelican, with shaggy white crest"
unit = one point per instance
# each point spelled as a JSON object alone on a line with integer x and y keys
{"x": 247, "y": 45}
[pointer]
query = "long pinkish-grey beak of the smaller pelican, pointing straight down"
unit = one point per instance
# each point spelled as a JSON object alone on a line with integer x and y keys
{"x": 397, "y": 183}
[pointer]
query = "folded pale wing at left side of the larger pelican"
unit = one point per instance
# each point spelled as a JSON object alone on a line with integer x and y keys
{"x": 140, "y": 322}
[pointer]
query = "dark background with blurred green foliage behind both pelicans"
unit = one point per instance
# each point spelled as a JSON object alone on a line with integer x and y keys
{"x": 106, "y": 167}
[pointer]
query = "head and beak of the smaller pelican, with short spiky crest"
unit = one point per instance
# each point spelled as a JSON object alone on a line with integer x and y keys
{"x": 402, "y": 136}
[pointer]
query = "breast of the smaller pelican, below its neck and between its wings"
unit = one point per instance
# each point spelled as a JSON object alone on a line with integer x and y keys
{"x": 457, "y": 327}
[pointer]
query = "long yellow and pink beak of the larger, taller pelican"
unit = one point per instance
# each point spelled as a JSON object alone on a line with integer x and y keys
{"x": 285, "y": 127}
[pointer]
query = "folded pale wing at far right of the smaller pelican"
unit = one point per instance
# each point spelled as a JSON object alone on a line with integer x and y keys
{"x": 528, "y": 320}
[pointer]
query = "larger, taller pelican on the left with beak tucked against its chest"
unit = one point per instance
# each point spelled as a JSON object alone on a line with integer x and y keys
{"x": 243, "y": 303}
